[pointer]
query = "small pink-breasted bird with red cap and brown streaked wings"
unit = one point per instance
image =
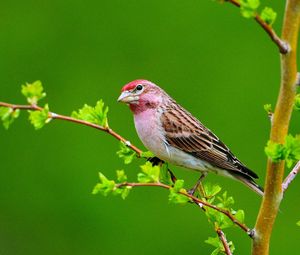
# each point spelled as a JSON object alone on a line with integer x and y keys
{"x": 174, "y": 135}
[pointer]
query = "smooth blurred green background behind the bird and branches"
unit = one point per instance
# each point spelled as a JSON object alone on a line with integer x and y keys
{"x": 220, "y": 66}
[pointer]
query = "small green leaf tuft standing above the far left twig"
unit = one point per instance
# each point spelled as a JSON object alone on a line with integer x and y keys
{"x": 33, "y": 92}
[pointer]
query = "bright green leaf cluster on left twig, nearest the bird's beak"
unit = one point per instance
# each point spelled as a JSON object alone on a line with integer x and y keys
{"x": 96, "y": 115}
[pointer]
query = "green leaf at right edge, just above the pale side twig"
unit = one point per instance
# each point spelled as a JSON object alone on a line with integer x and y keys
{"x": 292, "y": 149}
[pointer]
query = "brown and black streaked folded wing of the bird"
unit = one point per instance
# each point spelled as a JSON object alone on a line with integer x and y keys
{"x": 185, "y": 132}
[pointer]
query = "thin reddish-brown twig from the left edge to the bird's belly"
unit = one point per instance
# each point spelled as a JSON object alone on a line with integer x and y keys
{"x": 53, "y": 115}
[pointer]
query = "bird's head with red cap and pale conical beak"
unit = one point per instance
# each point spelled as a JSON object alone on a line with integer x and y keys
{"x": 141, "y": 95}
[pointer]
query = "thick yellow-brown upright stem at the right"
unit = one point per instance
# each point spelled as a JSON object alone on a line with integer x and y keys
{"x": 281, "y": 119}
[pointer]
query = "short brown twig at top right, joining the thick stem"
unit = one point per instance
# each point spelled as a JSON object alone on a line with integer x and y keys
{"x": 283, "y": 46}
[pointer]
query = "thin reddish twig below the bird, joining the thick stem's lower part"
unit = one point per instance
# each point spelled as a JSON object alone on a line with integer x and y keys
{"x": 196, "y": 200}
